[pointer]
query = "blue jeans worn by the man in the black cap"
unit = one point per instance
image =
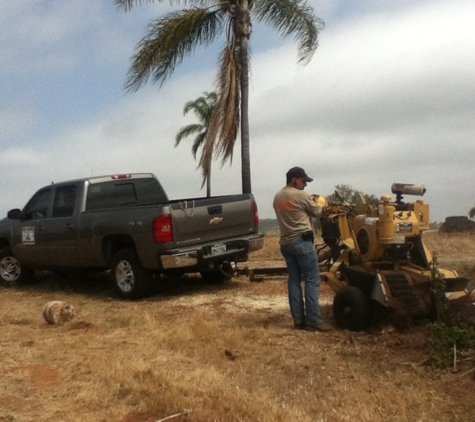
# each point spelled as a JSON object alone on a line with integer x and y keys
{"x": 301, "y": 258}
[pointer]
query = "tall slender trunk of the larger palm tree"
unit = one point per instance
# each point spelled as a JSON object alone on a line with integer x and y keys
{"x": 245, "y": 33}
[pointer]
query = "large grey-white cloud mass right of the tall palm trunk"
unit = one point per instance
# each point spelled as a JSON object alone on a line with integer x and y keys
{"x": 387, "y": 98}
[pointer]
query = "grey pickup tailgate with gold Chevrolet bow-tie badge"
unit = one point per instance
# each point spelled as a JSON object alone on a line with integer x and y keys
{"x": 211, "y": 219}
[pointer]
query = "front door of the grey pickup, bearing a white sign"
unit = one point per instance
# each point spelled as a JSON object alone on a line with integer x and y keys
{"x": 30, "y": 246}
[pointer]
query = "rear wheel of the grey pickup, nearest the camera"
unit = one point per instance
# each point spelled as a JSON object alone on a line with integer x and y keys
{"x": 130, "y": 279}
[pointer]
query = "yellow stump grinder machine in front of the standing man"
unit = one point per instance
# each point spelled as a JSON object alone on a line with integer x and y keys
{"x": 376, "y": 261}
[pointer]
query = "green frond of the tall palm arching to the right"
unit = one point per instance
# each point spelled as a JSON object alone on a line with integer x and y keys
{"x": 290, "y": 17}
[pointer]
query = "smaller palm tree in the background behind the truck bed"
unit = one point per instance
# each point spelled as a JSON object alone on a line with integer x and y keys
{"x": 203, "y": 108}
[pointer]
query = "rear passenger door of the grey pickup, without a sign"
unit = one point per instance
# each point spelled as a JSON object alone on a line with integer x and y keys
{"x": 61, "y": 228}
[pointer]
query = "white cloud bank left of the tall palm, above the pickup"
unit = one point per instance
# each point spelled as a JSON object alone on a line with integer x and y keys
{"x": 136, "y": 135}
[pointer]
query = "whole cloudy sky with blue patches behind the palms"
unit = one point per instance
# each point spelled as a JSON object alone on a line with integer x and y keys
{"x": 389, "y": 96}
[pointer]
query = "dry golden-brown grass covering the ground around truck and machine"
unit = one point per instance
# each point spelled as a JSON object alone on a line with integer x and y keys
{"x": 214, "y": 353}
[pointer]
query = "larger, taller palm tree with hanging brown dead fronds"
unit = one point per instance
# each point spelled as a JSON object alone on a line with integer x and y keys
{"x": 176, "y": 34}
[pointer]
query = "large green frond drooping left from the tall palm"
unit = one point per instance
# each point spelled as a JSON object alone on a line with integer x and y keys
{"x": 168, "y": 41}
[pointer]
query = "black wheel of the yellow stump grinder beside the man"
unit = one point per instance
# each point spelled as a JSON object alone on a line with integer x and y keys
{"x": 351, "y": 309}
